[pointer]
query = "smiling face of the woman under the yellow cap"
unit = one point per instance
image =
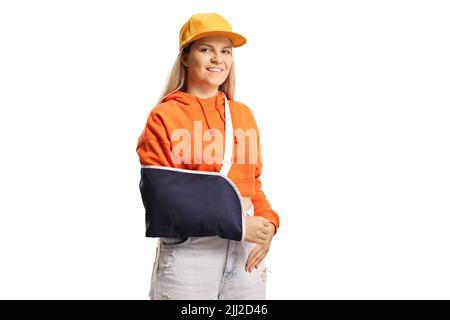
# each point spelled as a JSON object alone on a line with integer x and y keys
{"x": 209, "y": 61}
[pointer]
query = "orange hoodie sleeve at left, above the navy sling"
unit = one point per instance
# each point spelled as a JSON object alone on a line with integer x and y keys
{"x": 153, "y": 146}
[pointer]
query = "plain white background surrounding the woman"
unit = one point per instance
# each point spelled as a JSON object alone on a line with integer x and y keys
{"x": 352, "y": 100}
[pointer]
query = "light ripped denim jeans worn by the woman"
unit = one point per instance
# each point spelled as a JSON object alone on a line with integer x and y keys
{"x": 206, "y": 268}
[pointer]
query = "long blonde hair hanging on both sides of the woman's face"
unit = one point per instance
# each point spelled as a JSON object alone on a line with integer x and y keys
{"x": 177, "y": 79}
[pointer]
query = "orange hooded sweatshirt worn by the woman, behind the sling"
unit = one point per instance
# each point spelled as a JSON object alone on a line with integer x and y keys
{"x": 178, "y": 111}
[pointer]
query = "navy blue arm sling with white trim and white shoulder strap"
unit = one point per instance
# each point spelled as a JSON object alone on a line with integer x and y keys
{"x": 193, "y": 203}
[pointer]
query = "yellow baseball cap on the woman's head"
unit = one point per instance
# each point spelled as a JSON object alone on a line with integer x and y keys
{"x": 208, "y": 24}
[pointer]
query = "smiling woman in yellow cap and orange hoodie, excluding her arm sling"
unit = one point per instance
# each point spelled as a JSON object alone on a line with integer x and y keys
{"x": 194, "y": 102}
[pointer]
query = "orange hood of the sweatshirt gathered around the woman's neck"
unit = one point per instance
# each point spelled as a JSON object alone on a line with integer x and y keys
{"x": 189, "y": 101}
